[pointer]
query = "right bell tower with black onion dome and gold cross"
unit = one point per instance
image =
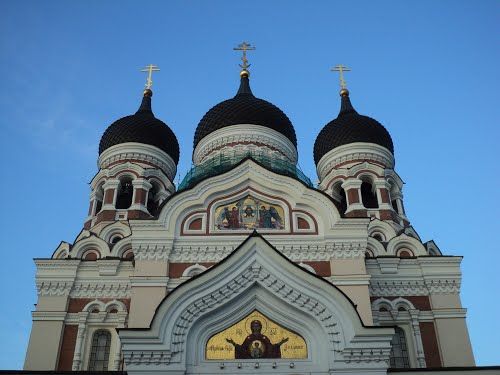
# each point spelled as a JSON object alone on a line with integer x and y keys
{"x": 354, "y": 157}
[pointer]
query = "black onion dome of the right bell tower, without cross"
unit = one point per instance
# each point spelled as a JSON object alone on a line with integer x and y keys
{"x": 350, "y": 127}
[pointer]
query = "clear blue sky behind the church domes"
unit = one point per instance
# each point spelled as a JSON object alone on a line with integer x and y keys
{"x": 427, "y": 70}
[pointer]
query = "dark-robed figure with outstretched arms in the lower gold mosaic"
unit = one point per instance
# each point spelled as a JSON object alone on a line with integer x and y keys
{"x": 257, "y": 345}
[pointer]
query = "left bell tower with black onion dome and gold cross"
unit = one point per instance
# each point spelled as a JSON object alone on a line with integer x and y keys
{"x": 138, "y": 156}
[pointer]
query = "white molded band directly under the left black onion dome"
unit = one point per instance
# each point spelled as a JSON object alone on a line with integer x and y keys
{"x": 140, "y": 152}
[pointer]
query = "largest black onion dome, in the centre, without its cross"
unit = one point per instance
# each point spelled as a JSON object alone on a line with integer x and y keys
{"x": 245, "y": 108}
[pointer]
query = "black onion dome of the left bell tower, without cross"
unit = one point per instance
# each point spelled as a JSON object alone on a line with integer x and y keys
{"x": 141, "y": 127}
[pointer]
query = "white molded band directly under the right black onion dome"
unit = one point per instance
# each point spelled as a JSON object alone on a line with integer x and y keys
{"x": 352, "y": 152}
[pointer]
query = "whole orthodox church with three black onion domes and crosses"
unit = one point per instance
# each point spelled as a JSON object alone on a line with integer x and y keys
{"x": 246, "y": 266}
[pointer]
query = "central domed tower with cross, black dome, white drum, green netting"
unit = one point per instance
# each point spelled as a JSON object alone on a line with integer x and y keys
{"x": 243, "y": 127}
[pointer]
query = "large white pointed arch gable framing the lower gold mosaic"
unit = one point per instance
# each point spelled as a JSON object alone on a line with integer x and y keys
{"x": 255, "y": 276}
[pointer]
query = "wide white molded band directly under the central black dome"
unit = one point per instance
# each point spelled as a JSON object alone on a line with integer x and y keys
{"x": 244, "y": 136}
